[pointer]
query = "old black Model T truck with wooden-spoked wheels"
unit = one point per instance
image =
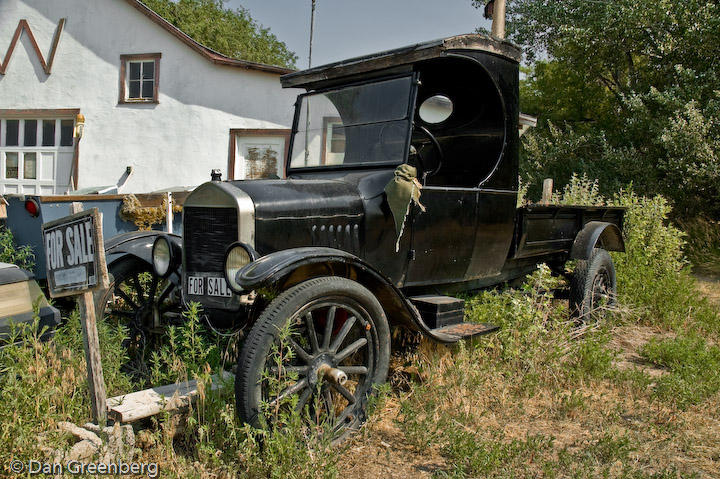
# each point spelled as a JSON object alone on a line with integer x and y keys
{"x": 343, "y": 248}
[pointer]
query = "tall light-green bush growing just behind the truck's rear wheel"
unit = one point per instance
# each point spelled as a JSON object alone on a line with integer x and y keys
{"x": 652, "y": 274}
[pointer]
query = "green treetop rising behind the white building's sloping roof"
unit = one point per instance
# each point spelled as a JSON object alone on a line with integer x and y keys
{"x": 231, "y": 32}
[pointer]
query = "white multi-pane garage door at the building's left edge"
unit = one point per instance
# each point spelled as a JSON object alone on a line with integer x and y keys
{"x": 35, "y": 155}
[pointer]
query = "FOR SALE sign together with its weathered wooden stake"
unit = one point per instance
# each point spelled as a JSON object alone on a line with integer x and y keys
{"x": 75, "y": 257}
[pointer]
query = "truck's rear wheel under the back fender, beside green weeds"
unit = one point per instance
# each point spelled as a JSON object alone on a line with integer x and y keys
{"x": 593, "y": 286}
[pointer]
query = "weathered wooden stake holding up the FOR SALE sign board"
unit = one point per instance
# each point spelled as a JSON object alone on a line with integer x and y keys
{"x": 91, "y": 342}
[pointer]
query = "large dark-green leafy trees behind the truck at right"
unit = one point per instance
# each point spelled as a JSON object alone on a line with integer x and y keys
{"x": 627, "y": 91}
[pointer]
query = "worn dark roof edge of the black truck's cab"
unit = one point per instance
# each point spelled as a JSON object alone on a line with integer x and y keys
{"x": 401, "y": 56}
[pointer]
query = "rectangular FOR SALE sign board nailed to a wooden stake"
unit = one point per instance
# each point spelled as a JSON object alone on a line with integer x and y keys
{"x": 75, "y": 254}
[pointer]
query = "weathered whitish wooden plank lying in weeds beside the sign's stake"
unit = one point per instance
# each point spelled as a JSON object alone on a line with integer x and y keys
{"x": 149, "y": 402}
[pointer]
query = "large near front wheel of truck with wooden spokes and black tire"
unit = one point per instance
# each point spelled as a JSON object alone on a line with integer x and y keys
{"x": 318, "y": 349}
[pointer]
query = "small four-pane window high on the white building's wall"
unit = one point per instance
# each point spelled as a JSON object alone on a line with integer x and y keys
{"x": 139, "y": 77}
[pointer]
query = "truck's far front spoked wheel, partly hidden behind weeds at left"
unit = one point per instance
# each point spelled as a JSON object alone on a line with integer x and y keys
{"x": 141, "y": 302}
